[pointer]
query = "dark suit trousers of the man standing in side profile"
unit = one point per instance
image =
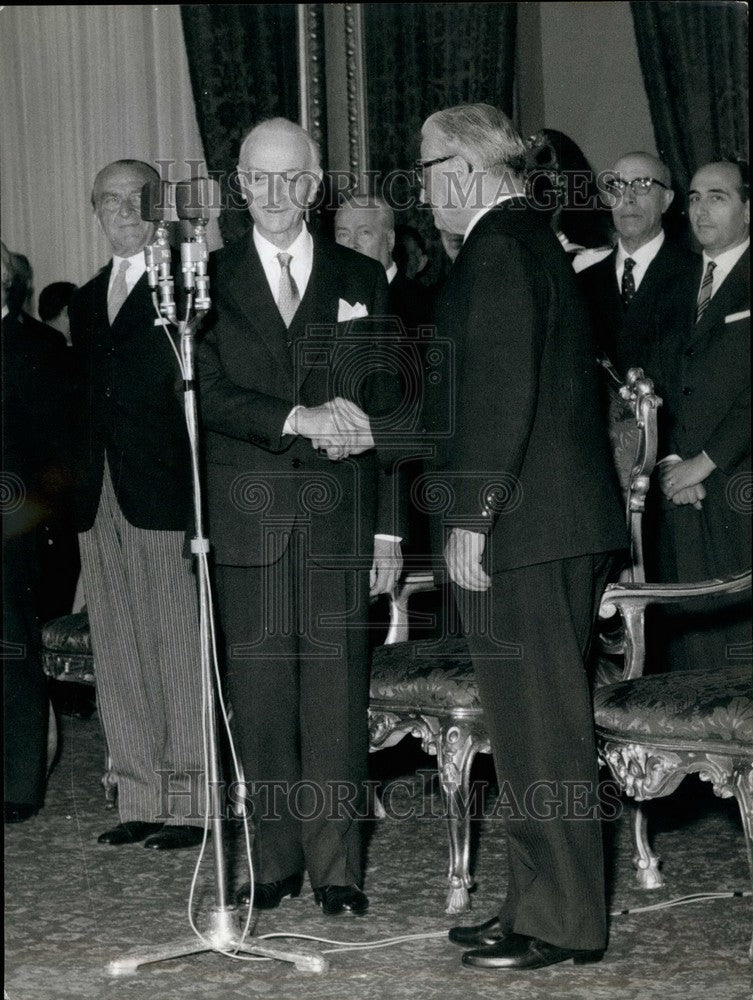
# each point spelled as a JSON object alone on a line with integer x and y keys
{"x": 528, "y": 637}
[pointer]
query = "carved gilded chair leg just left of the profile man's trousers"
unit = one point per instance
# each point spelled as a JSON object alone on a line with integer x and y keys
{"x": 456, "y": 749}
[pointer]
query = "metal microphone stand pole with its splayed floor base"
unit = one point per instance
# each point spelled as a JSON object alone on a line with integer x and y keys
{"x": 224, "y": 932}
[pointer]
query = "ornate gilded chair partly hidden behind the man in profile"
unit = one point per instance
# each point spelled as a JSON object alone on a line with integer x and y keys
{"x": 428, "y": 689}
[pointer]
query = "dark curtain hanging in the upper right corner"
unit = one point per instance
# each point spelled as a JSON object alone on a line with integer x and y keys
{"x": 694, "y": 58}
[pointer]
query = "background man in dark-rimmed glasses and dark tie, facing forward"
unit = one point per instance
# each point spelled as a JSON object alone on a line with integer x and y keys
{"x": 624, "y": 290}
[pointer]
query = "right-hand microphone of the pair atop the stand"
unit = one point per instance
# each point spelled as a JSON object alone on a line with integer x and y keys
{"x": 197, "y": 201}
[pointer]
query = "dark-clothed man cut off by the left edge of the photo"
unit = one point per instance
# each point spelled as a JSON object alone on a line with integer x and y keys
{"x": 36, "y": 464}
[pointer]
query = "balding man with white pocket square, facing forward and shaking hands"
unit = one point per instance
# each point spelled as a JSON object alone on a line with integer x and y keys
{"x": 287, "y": 364}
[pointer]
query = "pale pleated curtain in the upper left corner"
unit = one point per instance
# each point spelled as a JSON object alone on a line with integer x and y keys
{"x": 82, "y": 86}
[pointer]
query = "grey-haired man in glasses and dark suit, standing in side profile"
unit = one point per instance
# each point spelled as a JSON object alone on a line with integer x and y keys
{"x": 534, "y": 516}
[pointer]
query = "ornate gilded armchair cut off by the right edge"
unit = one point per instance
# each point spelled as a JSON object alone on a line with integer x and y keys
{"x": 653, "y": 731}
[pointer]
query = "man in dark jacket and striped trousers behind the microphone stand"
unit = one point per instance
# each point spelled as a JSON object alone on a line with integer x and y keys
{"x": 133, "y": 506}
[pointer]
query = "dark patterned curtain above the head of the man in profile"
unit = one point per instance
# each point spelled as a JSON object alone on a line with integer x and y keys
{"x": 421, "y": 57}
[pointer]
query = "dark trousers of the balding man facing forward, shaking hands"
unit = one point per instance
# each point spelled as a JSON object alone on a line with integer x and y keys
{"x": 298, "y": 679}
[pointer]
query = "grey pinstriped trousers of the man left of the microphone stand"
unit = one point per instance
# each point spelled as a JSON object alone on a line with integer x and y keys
{"x": 143, "y": 614}
